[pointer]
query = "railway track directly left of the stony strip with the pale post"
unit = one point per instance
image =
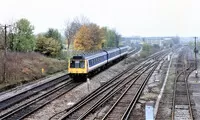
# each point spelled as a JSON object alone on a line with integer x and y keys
{"x": 122, "y": 108}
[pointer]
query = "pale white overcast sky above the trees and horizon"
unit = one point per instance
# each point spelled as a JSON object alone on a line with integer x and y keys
{"x": 127, "y": 17}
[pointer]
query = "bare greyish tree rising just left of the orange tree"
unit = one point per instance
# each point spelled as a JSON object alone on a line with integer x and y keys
{"x": 72, "y": 27}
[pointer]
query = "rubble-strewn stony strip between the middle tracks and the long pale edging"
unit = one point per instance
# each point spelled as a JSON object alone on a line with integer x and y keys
{"x": 151, "y": 91}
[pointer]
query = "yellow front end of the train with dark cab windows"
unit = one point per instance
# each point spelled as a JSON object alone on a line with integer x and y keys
{"x": 77, "y": 69}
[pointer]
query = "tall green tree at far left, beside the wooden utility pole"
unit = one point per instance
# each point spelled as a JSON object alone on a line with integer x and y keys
{"x": 24, "y": 39}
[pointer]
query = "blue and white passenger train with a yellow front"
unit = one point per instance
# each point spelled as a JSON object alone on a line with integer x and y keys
{"x": 82, "y": 66}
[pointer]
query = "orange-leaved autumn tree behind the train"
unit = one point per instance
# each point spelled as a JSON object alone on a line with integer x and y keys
{"x": 83, "y": 41}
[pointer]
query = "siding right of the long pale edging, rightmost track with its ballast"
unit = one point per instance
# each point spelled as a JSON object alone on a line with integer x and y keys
{"x": 176, "y": 100}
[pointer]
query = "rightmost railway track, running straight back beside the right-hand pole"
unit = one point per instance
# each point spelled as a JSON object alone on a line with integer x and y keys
{"x": 181, "y": 104}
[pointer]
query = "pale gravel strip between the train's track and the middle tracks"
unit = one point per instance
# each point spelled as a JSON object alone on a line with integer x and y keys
{"x": 77, "y": 93}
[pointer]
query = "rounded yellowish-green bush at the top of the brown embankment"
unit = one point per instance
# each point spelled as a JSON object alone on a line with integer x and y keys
{"x": 48, "y": 46}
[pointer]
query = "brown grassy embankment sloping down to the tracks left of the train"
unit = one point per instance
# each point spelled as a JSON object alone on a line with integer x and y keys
{"x": 25, "y": 67}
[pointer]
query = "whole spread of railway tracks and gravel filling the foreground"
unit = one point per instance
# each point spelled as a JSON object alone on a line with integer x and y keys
{"x": 165, "y": 79}
